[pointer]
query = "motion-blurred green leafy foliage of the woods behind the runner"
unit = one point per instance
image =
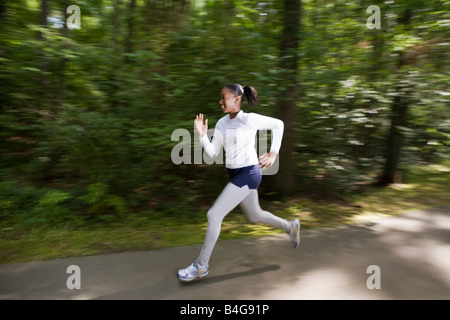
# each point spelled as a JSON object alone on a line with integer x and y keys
{"x": 87, "y": 115}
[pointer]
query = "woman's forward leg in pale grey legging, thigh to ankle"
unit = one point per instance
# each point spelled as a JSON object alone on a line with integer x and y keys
{"x": 230, "y": 197}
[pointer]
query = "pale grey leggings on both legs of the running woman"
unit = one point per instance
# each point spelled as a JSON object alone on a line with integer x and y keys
{"x": 230, "y": 197}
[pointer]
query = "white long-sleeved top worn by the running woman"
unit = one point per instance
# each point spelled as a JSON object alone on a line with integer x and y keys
{"x": 237, "y": 136}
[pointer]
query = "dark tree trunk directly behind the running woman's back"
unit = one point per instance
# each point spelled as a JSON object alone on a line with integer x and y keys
{"x": 286, "y": 103}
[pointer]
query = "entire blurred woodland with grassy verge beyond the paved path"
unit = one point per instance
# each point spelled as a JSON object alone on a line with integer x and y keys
{"x": 87, "y": 114}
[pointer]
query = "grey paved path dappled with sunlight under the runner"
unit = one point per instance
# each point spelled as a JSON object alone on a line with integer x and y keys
{"x": 412, "y": 252}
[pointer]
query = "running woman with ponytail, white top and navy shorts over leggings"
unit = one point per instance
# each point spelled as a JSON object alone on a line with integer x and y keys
{"x": 236, "y": 133}
